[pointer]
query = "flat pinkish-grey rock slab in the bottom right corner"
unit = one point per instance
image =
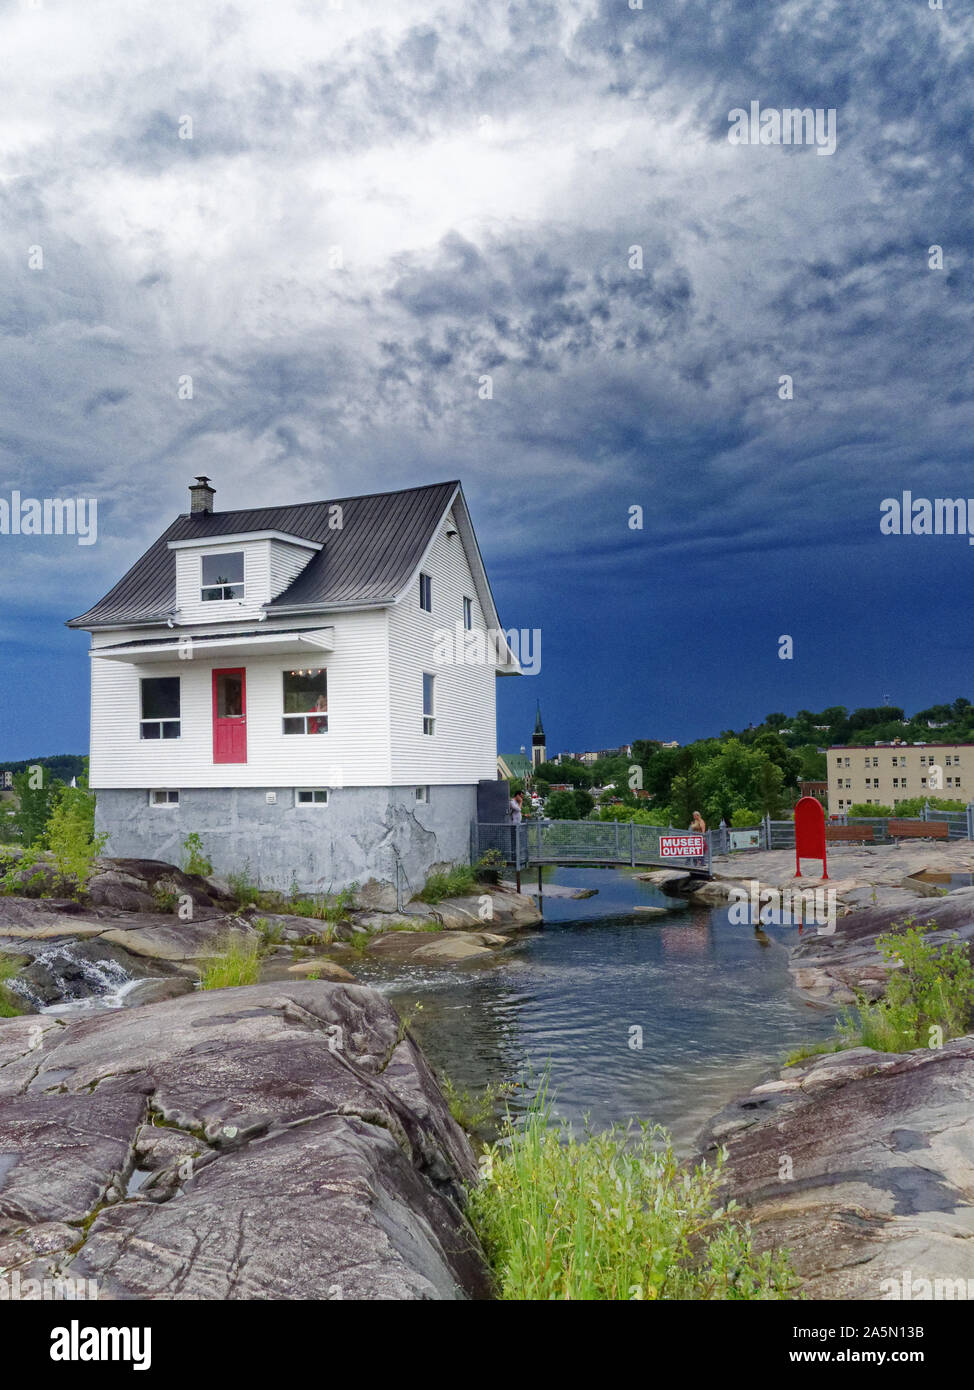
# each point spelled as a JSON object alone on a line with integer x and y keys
{"x": 862, "y": 1166}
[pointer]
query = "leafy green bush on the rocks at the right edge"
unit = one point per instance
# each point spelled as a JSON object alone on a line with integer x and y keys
{"x": 929, "y": 1000}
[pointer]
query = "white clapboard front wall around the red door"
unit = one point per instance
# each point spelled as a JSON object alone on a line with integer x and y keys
{"x": 355, "y": 753}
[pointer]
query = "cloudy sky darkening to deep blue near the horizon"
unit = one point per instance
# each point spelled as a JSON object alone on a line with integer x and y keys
{"x": 376, "y": 212}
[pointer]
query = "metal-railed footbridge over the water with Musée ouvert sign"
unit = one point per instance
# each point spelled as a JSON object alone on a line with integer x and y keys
{"x": 604, "y": 843}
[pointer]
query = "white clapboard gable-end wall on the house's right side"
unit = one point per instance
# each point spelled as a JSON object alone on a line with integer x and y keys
{"x": 465, "y": 744}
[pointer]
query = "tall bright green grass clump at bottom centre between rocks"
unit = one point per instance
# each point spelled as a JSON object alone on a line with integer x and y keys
{"x": 615, "y": 1217}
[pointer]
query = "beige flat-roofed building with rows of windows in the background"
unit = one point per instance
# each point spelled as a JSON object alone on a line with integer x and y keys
{"x": 889, "y": 774}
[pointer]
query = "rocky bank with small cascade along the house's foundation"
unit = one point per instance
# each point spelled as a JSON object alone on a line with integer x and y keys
{"x": 148, "y": 921}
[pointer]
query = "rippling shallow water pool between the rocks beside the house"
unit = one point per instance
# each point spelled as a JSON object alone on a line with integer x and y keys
{"x": 715, "y": 1003}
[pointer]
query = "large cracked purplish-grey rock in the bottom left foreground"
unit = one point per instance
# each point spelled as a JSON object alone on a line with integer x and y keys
{"x": 274, "y": 1142}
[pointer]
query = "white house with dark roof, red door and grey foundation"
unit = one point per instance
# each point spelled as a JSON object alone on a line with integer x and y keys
{"x": 311, "y": 689}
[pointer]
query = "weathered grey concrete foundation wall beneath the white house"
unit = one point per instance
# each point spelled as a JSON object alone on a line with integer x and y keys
{"x": 355, "y": 839}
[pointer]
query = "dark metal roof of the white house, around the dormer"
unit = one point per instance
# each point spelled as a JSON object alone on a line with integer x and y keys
{"x": 370, "y": 561}
